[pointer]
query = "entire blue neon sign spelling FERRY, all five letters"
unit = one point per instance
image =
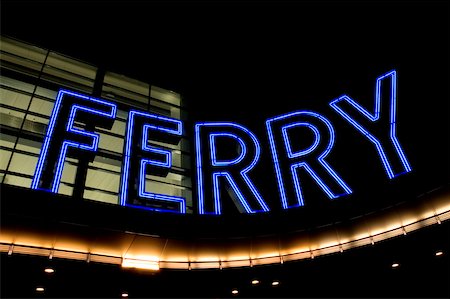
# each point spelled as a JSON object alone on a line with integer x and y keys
{"x": 70, "y": 133}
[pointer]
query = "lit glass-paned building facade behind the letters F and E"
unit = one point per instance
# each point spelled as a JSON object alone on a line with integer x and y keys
{"x": 30, "y": 81}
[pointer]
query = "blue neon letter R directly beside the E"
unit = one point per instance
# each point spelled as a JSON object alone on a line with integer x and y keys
{"x": 235, "y": 172}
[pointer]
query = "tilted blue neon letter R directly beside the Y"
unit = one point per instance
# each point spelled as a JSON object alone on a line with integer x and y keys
{"x": 288, "y": 163}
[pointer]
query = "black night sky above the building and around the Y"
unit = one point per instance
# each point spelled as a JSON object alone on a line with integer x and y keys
{"x": 247, "y": 61}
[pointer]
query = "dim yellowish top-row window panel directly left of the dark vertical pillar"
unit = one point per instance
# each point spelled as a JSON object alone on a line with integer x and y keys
{"x": 70, "y": 65}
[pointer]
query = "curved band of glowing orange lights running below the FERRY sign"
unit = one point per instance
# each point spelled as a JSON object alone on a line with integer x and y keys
{"x": 153, "y": 253}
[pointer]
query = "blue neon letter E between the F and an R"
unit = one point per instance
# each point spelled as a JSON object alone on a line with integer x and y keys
{"x": 140, "y": 158}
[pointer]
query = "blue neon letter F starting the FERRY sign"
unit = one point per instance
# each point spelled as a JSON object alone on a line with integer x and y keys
{"x": 67, "y": 140}
